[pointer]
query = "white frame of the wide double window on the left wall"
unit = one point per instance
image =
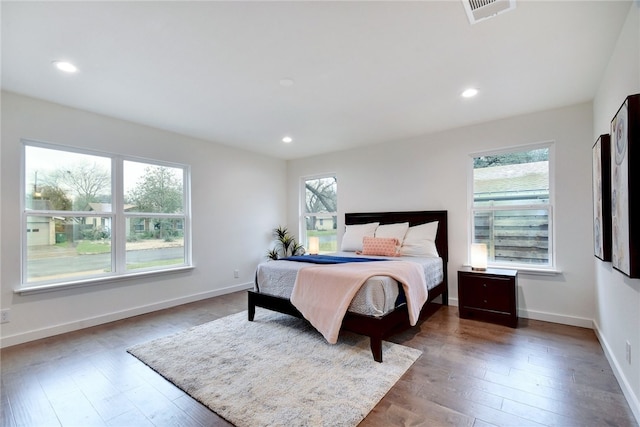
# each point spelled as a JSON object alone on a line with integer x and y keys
{"x": 118, "y": 217}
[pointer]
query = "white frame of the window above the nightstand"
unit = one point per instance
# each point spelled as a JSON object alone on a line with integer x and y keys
{"x": 549, "y": 268}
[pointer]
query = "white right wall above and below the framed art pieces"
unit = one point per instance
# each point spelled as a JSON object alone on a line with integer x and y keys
{"x": 618, "y": 297}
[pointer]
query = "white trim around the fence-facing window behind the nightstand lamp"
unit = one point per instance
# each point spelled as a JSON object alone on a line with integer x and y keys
{"x": 550, "y": 269}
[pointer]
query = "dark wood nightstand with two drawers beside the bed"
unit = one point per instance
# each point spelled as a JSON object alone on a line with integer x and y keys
{"x": 488, "y": 295}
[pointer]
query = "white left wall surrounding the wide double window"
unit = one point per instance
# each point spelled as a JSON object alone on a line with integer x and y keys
{"x": 237, "y": 199}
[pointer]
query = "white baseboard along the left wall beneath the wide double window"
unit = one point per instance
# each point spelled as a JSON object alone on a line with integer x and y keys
{"x": 112, "y": 317}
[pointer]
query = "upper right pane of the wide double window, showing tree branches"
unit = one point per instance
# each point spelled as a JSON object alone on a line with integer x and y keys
{"x": 152, "y": 188}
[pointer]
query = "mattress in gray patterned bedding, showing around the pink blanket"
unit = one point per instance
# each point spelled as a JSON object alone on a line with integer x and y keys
{"x": 376, "y": 297}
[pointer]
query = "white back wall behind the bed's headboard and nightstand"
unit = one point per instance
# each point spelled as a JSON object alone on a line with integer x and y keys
{"x": 430, "y": 172}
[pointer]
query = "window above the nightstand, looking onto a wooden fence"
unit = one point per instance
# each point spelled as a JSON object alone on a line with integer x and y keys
{"x": 511, "y": 206}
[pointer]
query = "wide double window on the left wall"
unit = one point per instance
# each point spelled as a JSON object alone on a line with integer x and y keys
{"x": 100, "y": 215}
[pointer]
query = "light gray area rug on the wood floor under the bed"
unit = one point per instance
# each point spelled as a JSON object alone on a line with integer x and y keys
{"x": 276, "y": 371}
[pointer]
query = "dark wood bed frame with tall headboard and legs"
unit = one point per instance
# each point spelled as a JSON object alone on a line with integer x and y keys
{"x": 376, "y": 328}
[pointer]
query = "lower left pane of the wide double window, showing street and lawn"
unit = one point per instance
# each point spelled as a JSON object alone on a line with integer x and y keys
{"x": 63, "y": 248}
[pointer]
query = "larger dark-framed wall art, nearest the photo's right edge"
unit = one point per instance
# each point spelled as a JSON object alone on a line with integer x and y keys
{"x": 625, "y": 187}
